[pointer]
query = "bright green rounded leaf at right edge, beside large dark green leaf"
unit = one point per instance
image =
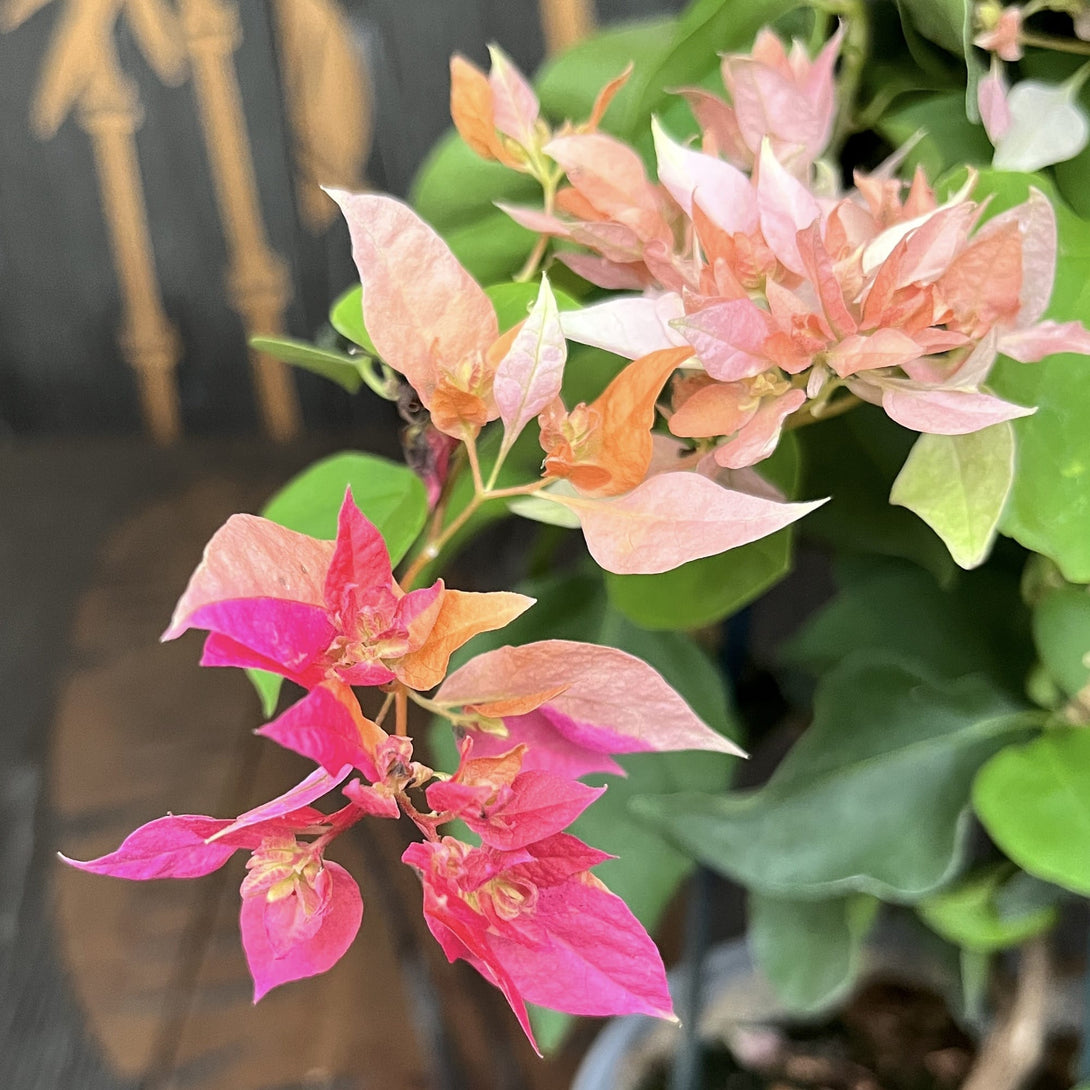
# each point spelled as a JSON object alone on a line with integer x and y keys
{"x": 1035, "y": 803}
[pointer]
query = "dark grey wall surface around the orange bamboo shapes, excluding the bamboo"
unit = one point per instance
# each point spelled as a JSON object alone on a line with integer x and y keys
{"x": 60, "y": 369}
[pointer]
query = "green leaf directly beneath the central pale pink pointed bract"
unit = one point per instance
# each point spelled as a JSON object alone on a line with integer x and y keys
{"x": 703, "y": 592}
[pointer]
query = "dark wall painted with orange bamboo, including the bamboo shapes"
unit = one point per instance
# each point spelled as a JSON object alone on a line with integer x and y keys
{"x": 159, "y": 162}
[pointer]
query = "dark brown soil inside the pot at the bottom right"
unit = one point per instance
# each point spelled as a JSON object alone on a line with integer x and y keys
{"x": 890, "y": 1037}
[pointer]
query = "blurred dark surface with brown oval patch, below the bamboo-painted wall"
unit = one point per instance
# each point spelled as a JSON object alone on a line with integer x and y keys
{"x": 108, "y": 985}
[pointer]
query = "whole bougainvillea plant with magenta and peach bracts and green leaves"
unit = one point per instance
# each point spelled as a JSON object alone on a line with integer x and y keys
{"x": 823, "y": 271}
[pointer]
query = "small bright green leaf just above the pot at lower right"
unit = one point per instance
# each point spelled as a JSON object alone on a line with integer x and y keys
{"x": 973, "y": 914}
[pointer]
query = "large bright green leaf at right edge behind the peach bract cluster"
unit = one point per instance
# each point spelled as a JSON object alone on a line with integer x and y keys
{"x": 1050, "y": 503}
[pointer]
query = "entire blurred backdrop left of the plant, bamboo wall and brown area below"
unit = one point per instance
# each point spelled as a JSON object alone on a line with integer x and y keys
{"x": 160, "y": 164}
